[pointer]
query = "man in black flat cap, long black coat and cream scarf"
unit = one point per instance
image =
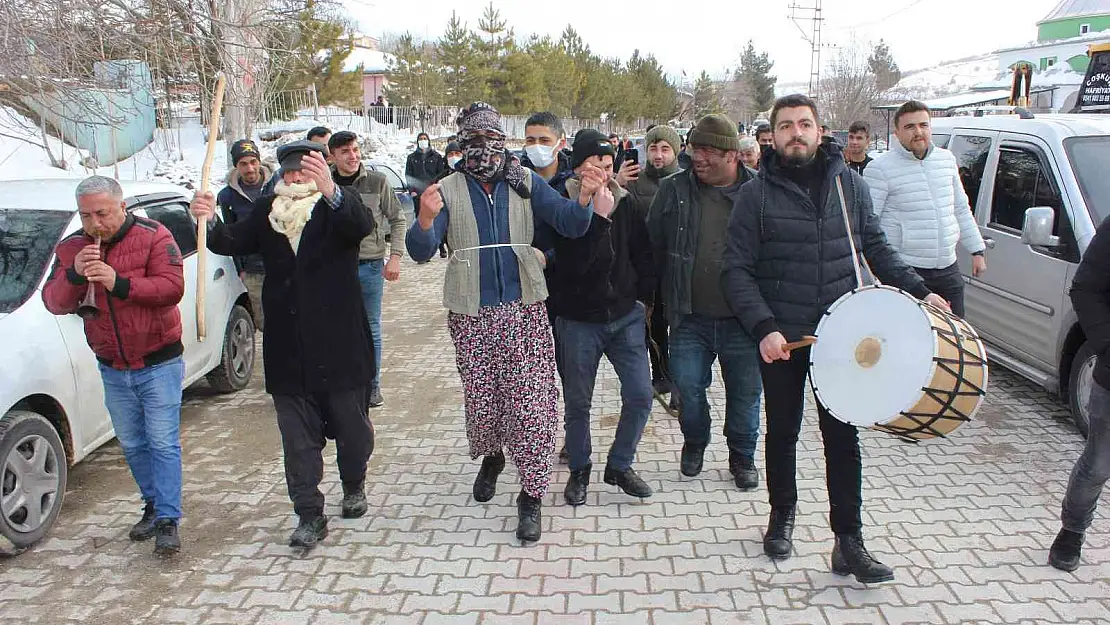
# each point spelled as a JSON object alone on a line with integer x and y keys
{"x": 317, "y": 348}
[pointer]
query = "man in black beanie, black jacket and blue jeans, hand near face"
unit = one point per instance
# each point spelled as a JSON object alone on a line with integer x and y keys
{"x": 601, "y": 285}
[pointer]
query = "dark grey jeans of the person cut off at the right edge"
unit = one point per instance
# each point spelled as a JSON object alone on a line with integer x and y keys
{"x": 1093, "y": 470}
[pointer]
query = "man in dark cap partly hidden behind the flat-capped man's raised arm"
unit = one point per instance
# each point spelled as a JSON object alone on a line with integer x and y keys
{"x": 246, "y": 184}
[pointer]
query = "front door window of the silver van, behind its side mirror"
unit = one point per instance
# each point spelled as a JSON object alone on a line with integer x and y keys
{"x": 1023, "y": 182}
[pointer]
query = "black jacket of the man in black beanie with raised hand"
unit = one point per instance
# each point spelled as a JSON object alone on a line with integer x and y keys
{"x": 600, "y": 277}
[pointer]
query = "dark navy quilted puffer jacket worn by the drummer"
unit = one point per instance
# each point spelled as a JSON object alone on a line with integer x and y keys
{"x": 786, "y": 260}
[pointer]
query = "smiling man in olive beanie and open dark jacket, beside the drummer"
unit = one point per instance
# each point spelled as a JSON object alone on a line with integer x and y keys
{"x": 689, "y": 223}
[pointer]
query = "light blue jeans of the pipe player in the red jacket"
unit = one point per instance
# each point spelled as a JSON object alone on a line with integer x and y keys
{"x": 146, "y": 410}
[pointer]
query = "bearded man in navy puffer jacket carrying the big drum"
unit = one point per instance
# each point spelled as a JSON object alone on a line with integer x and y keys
{"x": 788, "y": 259}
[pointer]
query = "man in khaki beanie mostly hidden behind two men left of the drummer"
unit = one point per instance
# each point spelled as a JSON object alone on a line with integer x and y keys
{"x": 663, "y": 147}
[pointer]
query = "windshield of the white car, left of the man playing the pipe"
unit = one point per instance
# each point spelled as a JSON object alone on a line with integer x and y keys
{"x": 27, "y": 243}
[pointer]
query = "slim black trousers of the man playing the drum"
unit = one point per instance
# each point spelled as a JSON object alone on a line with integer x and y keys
{"x": 784, "y": 397}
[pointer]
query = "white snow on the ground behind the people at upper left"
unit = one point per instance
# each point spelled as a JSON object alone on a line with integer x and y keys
{"x": 177, "y": 155}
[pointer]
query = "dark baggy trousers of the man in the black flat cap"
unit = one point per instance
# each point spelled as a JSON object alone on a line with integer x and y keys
{"x": 306, "y": 421}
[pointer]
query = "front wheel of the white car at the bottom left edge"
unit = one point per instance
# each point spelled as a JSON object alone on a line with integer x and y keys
{"x": 33, "y": 480}
